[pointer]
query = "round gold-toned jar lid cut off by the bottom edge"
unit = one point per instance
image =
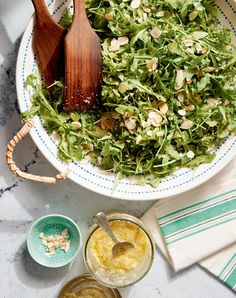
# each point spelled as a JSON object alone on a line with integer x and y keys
{"x": 85, "y": 286}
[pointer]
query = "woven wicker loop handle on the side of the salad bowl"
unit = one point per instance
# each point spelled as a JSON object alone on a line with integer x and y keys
{"x": 12, "y": 166}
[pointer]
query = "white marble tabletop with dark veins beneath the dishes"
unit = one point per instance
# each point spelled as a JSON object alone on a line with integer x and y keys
{"x": 21, "y": 202}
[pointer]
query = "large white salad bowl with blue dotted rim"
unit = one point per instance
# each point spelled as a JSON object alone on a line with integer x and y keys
{"x": 93, "y": 178}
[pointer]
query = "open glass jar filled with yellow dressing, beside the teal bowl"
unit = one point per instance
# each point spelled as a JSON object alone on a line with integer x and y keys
{"x": 127, "y": 268}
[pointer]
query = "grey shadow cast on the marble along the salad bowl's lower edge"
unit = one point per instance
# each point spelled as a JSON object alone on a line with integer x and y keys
{"x": 70, "y": 199}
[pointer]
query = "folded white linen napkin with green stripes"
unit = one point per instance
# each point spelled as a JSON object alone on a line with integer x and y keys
{"x": 199, "y": 226}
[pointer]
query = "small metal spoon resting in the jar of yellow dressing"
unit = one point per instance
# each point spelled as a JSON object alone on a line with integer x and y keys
{"x": 120, "y": 247}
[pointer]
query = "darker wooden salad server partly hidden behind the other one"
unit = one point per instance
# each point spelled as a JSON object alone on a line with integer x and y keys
{"x": 48, "y": 43}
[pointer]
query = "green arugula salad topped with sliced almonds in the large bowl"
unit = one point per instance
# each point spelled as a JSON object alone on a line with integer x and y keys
{"x": 168, "y": 93}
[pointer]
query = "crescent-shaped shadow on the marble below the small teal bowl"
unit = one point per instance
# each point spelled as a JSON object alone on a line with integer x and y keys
{"x": 34, "y": 275}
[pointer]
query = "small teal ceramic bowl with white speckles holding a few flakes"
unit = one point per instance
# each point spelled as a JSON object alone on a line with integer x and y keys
{"x": 53, "y": 224}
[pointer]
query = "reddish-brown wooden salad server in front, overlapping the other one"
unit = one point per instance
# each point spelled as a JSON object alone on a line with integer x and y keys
{"x": 83, "y": 62}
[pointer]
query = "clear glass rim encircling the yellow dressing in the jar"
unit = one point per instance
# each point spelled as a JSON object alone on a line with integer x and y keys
{"x": 116, "y": 215}
